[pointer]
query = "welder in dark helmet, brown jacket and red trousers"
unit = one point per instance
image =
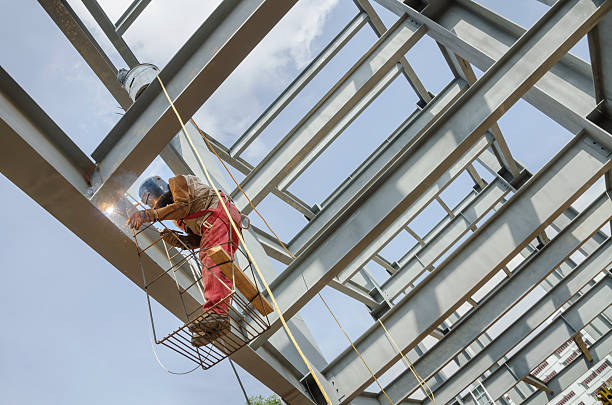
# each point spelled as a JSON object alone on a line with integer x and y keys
{"x": 196, "y": 209}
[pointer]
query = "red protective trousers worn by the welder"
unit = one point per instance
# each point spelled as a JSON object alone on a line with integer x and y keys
{"x": 221, "y": 233}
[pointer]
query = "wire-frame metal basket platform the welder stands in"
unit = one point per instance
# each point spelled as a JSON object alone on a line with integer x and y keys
{"x": 206, "y": 338}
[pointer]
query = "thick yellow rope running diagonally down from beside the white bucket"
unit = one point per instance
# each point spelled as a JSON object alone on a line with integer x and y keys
{"x": 251, "y": 258}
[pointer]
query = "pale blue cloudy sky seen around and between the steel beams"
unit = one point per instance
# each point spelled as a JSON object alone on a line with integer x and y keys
{"x": 75, "y": 329}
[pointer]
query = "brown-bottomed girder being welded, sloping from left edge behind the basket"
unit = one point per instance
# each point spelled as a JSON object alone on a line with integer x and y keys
{"x": 28, "y": 134}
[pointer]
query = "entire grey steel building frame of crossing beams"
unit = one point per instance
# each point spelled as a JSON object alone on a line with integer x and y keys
{"x": 430, "y": 287}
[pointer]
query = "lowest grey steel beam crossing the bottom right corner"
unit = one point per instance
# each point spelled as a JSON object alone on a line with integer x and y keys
{"x": 570, "y": 374}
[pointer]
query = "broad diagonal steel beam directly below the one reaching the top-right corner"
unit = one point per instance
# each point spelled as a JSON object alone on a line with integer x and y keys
{"x": 490, "y": 248}
